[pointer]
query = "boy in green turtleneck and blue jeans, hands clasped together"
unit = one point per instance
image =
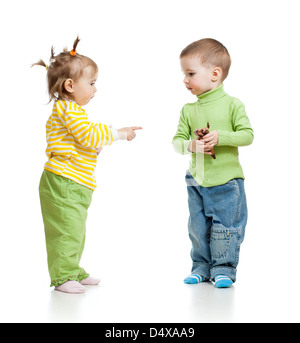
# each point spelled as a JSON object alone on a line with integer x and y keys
{"x": 216, "y": 196}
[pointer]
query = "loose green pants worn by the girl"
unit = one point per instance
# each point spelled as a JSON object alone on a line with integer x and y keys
{"x": 64, "y": 206}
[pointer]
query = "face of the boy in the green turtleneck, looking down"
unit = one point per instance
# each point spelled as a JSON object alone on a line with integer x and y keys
{"x": 199, "y": 78}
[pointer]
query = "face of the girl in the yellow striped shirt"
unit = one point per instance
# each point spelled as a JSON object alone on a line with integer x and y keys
{"x": 84, "y": 88}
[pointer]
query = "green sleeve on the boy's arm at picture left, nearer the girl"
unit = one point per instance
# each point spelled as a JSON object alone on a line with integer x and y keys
{"x": 182, "y": 139}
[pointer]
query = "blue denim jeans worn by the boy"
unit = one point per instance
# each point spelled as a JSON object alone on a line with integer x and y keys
{"x": 218, "y": 217}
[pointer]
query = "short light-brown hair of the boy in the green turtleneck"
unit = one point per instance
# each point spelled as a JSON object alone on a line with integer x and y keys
{"x": 210, "y": 52}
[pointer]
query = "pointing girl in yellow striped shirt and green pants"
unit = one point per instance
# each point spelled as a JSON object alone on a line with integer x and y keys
{"x": 67, "y": 182}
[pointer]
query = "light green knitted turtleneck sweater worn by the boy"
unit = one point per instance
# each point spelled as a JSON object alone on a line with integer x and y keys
{"x": 225, "y": 114}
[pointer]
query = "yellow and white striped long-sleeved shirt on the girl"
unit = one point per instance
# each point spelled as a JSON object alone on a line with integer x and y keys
{"x": 72, "y": 141}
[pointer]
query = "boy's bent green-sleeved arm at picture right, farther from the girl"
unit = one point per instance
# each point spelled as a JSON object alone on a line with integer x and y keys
{"x": 243, "y": 133}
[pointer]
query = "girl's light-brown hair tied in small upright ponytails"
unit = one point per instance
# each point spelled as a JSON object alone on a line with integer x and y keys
{"x": 66, "y": 65}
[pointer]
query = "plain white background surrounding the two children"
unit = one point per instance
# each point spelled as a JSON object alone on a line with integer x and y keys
{"x": 137, "y": 240}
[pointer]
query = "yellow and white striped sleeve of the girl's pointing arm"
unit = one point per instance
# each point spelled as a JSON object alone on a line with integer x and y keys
{"x": 86, "y": 133}
